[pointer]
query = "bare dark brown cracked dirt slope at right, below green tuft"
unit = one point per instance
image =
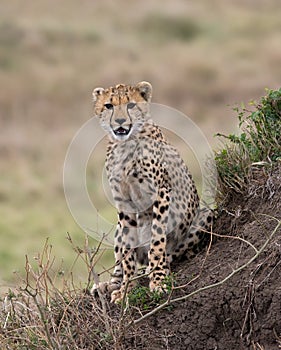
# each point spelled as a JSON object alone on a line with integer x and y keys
{"x": 244, "y": 312}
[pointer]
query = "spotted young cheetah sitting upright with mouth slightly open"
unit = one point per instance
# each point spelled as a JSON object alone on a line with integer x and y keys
{"x": 157, "y": 202}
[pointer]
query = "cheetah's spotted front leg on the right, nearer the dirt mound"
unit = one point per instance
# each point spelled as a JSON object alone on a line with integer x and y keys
{"x": 158, "y": 265}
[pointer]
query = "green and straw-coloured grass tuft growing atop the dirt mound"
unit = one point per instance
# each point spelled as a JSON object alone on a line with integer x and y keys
{"x": 258, "y": 144}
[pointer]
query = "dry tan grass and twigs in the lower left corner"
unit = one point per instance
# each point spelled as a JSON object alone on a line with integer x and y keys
{"x": 39, "y": 315}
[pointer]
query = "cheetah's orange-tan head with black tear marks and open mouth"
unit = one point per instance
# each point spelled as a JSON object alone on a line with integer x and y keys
{"x": 123, "y": 109}
